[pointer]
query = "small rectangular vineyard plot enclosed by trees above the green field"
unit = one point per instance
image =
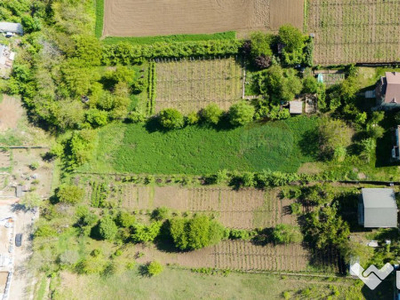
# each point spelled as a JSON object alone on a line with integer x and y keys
{"x": 190, "y": 85}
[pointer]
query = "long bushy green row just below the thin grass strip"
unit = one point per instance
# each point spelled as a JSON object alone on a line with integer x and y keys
{"x": 126, "y": 54}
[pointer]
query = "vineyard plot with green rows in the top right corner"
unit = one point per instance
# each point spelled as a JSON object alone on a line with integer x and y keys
{"x": 354, "y": 31}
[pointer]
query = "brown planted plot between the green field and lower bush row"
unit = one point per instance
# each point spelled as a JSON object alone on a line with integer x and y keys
{"x": 247, "y": 208}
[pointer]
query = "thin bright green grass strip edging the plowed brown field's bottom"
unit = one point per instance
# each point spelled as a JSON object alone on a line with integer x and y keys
{"x": 228, "y": 35}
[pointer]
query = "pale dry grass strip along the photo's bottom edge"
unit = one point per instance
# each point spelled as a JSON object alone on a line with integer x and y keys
{"x": 183, "y": 284}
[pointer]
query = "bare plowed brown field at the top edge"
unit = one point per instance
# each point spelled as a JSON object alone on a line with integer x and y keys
{"x": 166, "y": 17}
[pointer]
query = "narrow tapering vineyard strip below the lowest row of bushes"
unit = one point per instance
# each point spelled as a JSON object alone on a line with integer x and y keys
{"x": 245, "y": 256}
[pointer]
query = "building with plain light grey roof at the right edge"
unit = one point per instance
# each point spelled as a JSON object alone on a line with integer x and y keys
{"x": 377, "y": 208}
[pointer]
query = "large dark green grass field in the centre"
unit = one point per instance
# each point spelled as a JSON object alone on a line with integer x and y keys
{"x": 278, "y": 146}
